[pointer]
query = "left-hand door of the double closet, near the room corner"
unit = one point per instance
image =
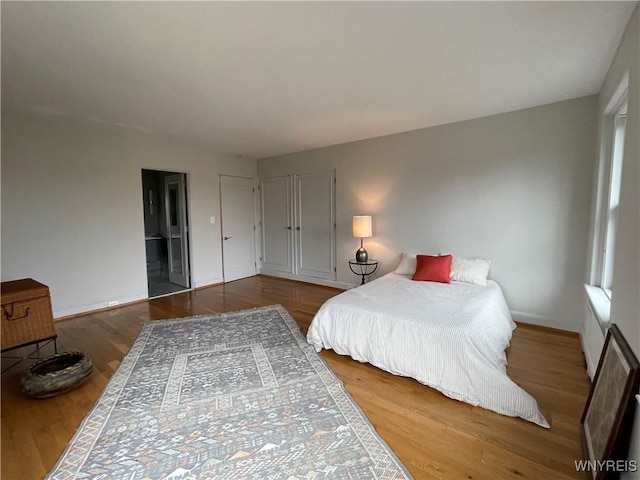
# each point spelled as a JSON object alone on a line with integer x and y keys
{"x": 277, "y": 228}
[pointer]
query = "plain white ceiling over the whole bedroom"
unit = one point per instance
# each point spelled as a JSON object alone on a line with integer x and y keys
{"x": 261, "y": 79}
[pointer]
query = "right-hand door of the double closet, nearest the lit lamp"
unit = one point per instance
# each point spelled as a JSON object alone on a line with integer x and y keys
{"x": 315, "y": 225}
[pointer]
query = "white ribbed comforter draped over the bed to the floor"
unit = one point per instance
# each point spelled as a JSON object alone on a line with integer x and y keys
{"x": 451, "y": 337}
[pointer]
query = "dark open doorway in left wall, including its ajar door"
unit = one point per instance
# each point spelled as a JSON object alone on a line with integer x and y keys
{"x": 166, "y": 232}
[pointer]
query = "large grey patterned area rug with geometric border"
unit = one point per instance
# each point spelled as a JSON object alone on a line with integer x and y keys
{"x": 237, "y": 395}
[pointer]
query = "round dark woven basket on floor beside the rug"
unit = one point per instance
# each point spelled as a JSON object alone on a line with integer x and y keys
{"x": 57, "y": 374}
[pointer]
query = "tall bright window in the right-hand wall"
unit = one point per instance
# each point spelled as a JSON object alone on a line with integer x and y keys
{"x": 610, "y": 178}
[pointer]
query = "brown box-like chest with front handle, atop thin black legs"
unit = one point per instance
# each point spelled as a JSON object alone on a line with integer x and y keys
{"x": 27, "y": 316}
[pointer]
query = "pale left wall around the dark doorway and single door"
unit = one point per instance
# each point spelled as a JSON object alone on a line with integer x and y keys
{"x": 72, "y": 211}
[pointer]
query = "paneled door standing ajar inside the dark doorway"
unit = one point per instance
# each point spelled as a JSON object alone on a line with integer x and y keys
{"x": 176, "y": 221}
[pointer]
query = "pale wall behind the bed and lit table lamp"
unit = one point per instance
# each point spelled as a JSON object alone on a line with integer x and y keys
{"x": 514, "y": 188}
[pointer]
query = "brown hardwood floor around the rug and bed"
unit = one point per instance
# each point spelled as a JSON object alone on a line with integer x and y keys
{"x": 435, "y": 437}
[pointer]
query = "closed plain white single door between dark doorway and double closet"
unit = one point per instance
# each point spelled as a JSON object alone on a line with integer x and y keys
{"x": 238, "y": 227}
